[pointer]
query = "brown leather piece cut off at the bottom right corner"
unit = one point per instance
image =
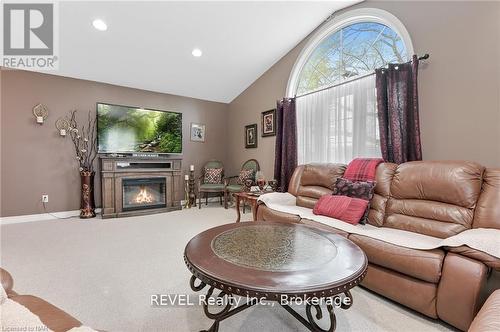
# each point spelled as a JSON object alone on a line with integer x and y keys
{"x": 488, "y": 318}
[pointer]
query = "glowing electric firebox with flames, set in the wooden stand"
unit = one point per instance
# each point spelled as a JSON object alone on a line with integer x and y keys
{"x": 143, "y": 193}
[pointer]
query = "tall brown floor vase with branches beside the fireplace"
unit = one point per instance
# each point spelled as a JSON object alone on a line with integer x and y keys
{"x": 84, "y": 140}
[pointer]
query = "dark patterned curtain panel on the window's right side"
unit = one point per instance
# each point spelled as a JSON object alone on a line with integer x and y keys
{"x": 397, "y": 109}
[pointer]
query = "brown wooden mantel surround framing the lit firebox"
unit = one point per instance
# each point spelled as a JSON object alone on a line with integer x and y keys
{"x": 116, "y": 170}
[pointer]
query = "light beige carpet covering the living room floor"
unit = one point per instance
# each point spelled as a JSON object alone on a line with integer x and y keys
{"x": 104, "y": 271}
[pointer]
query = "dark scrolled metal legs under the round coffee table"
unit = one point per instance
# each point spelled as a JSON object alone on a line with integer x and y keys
{"x": 227, "y": 312}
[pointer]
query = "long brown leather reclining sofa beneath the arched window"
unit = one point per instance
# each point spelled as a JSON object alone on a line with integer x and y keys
{"x": 435, "y": 198}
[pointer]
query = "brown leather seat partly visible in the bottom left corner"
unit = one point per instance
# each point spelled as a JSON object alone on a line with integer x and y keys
{"x": 53, "y": 317}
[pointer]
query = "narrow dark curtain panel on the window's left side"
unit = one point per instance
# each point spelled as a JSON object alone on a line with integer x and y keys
{"x": 285, "y": 160}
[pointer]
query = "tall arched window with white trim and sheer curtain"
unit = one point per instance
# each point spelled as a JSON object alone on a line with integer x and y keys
{"x": 335, "y": 87}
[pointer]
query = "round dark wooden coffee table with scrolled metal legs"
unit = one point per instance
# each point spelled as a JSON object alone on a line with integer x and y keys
{"x": 275, "y": 261}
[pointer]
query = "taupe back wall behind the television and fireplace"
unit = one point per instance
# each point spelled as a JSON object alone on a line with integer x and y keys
{"x": 36, "y": 160}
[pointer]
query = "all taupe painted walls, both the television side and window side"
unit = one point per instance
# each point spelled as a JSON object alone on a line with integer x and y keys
{"x": 459, "y": 107}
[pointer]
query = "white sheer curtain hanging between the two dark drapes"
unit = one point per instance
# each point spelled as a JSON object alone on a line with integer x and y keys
{"x": 338, "y": 124}
